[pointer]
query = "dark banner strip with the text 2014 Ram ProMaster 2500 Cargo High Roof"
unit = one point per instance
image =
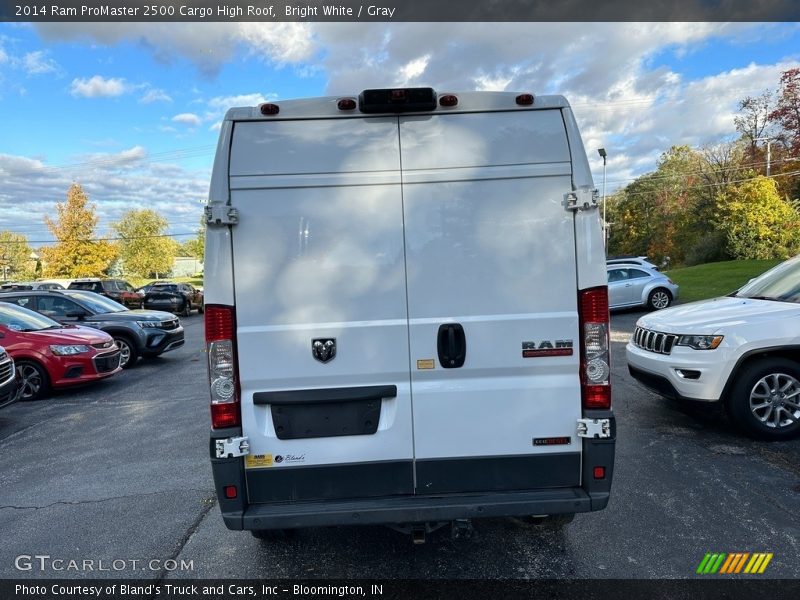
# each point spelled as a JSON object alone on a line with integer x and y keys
{"x": 397, "y": 10}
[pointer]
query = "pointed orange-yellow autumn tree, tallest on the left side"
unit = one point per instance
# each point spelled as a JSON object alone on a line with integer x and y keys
{"x": 77, "y": 252}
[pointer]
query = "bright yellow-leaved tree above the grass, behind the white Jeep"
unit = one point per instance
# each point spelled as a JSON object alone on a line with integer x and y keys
{"x": 757, "y": 222}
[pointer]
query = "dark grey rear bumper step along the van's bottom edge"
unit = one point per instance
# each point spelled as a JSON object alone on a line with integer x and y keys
{"x": 414, "y": 509}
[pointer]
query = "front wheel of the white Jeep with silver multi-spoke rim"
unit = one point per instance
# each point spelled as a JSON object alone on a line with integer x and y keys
{"x": 765, "y": 400}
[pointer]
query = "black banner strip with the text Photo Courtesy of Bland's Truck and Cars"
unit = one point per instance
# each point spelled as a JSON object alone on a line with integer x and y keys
{"x": 750, "y": 587}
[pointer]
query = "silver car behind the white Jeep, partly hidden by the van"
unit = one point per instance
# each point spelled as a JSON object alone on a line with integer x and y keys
{"x": 634, "y": 285}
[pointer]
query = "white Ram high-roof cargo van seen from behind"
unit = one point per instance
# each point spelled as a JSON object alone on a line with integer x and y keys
{"x": 406, "y": 312}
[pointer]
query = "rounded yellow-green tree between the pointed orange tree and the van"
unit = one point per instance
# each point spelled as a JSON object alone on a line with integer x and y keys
{"x": 144, "y": 247}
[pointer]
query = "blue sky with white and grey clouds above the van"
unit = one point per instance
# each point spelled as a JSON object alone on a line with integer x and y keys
{"x": 131, "y": 111}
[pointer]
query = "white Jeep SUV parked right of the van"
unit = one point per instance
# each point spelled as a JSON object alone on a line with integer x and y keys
{"x": 742, "y": 349}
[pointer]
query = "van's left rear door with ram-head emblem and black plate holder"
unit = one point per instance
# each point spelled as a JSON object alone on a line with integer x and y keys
{"x": 322, "y": 323}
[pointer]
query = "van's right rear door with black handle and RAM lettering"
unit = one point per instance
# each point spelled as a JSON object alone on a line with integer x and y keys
{"x": 491, "y": 270}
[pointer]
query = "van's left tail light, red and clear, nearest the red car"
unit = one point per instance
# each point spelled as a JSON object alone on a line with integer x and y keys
{"x": 222, "y": 372}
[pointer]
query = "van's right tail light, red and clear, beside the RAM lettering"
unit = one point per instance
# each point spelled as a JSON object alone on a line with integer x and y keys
{"x": 595, "y": 349}
